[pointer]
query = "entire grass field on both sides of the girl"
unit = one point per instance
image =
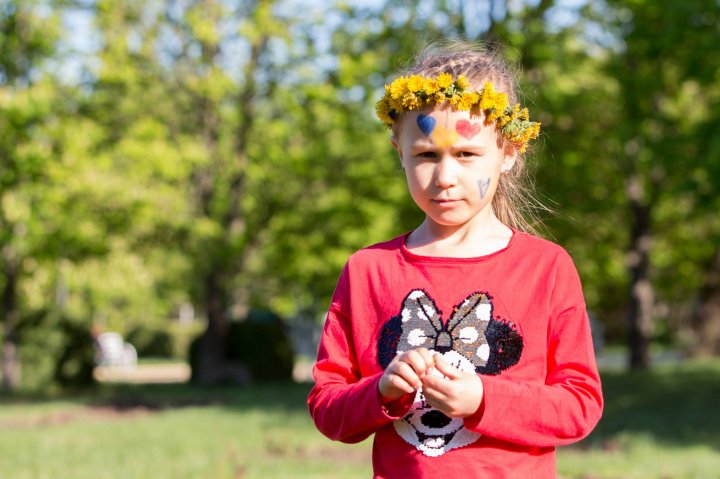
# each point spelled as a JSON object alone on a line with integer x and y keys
{"x": 662, "y": 424}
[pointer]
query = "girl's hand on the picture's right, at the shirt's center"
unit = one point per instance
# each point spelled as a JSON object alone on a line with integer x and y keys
{"x": 458, "y": 394}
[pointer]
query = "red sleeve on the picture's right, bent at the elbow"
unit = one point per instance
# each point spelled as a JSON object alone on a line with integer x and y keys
{"x": 569, "y": 404}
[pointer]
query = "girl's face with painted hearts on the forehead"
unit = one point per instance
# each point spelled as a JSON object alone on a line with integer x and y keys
{"x": 452, "y": 162}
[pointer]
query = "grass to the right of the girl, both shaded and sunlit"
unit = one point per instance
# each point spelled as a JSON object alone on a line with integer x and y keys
{"x": 659, "y": 424}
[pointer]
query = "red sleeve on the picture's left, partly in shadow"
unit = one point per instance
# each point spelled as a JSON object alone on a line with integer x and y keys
{"x": 345, "y": 406}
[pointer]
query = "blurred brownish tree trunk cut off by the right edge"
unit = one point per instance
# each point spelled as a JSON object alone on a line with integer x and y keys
{"x": 706, "y": 315}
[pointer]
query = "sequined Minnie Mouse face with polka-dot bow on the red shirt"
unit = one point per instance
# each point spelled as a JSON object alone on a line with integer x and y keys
{"x": 472, "y": 340}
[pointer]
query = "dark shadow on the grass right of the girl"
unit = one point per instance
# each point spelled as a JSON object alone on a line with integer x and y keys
{"x": 675, "y": 405}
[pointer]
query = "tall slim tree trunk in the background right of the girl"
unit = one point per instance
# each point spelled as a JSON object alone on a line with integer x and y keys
{"x": 642, "y": 295}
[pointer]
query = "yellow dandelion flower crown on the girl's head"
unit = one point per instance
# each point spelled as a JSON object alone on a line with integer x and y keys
{"x": 415, "y": 92}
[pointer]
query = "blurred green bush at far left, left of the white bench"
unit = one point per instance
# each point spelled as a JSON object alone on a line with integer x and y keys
{"x": 56, "y": 351}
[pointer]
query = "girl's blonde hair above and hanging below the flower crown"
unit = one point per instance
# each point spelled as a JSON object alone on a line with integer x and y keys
{"x": 513, "y": 202}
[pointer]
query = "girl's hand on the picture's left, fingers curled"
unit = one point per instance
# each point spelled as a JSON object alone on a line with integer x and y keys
{"x": 404, "y": 374}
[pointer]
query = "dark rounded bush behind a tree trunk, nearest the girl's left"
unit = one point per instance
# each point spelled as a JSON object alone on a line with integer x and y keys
{"x": 260, "y": 343}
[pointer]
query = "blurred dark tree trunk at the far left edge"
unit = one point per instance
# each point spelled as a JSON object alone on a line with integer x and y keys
{"x": 10, "y": 357}
